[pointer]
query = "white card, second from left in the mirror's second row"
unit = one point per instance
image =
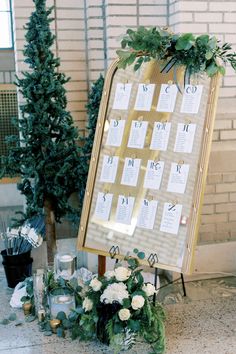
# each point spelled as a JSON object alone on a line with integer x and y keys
{"x": 137, "y": 134}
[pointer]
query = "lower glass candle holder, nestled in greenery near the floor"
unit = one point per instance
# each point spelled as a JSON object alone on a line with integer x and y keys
{"x": 63, "y": 302}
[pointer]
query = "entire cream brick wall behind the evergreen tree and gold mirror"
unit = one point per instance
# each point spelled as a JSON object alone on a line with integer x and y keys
{"x": 88, "y": 34}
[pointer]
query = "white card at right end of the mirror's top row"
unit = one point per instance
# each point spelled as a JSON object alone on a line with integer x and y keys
{"x": 191, "y": 99}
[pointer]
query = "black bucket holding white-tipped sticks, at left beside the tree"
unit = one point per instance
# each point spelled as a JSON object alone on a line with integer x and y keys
{"x": 17, "y": 267}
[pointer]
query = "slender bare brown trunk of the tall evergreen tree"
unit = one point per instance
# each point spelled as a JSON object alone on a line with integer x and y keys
{"x": 50, "y": 231}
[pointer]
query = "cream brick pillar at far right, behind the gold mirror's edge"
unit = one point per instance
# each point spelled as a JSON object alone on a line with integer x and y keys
{"x": 219, "y": 210}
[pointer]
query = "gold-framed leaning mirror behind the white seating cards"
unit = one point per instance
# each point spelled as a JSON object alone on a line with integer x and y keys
{"x": 174, "y": 252}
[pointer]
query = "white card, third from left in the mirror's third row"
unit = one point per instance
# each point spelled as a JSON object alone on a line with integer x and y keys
{"x": 153, "y": 175}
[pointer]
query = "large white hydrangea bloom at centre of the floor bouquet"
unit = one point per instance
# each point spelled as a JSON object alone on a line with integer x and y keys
{"x": 115, "y": 292}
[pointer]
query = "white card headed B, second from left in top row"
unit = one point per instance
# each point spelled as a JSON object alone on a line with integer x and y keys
{"x": 144, "y": 97}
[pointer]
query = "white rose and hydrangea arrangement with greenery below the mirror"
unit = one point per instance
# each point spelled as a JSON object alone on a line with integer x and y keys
{"x": 118, "y": 308}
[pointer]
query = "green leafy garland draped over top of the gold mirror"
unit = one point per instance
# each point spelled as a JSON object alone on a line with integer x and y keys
{"x": 197, "y": 53}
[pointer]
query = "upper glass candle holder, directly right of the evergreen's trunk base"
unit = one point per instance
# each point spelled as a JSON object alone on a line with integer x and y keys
{"x": 65, "y": 265}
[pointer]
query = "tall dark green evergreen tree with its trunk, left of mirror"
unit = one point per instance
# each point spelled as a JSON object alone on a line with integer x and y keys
{"x": 47, "y": 155}
